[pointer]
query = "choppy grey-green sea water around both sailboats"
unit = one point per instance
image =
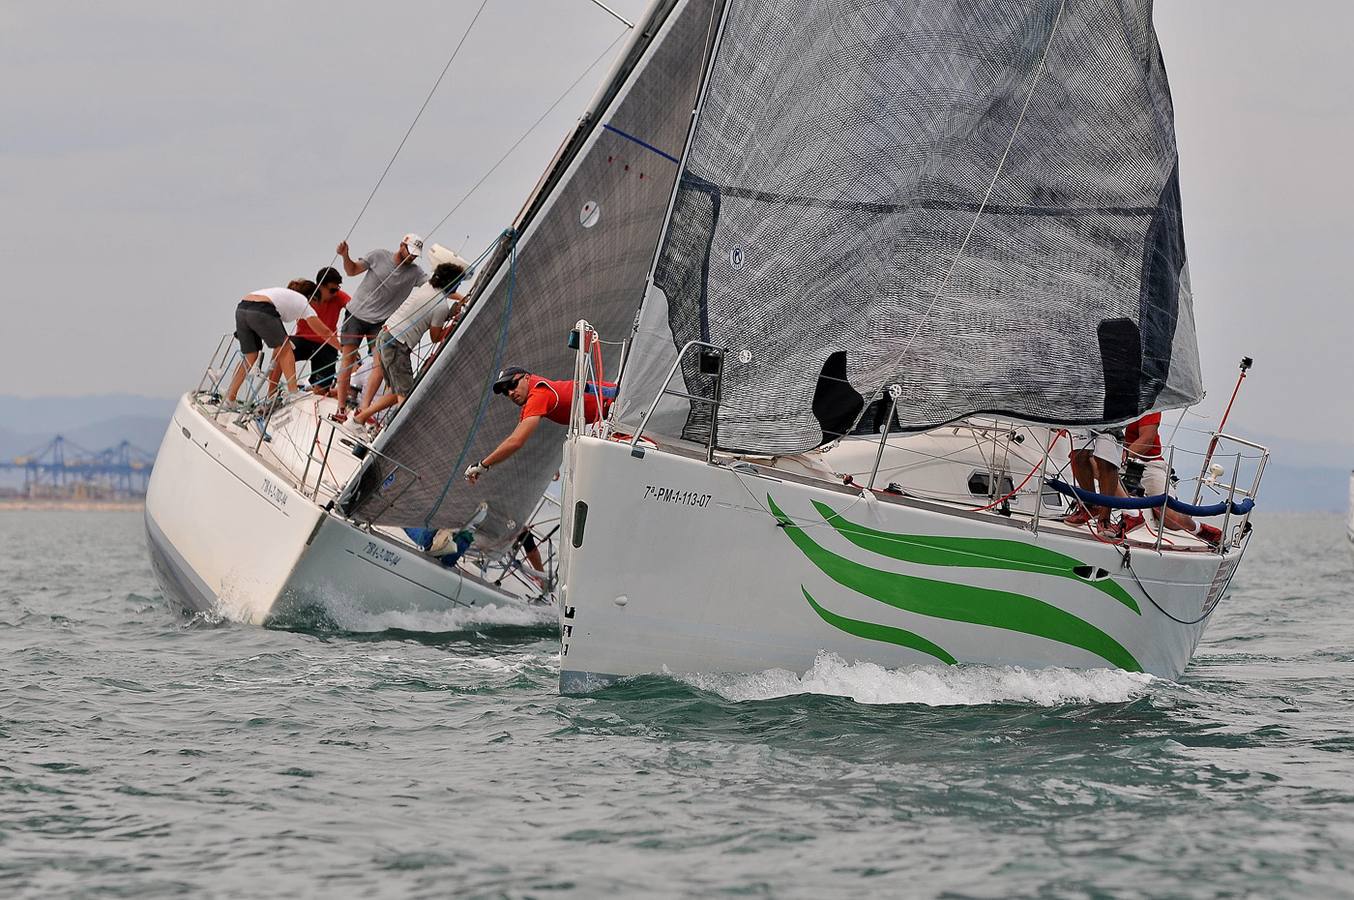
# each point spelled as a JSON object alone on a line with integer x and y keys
{"x": 147, "y": 755}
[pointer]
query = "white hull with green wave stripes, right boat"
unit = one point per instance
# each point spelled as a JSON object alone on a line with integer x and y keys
{"x": 674, "y": 565}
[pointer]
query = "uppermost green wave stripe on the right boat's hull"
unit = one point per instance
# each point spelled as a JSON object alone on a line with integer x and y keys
{"x": 976, "y": 553}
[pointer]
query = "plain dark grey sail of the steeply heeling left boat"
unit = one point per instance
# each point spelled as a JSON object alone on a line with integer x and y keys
{"x": 568, "y": 267}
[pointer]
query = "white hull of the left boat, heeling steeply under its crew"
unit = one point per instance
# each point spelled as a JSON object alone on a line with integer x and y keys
{"x": 232, "y": 537}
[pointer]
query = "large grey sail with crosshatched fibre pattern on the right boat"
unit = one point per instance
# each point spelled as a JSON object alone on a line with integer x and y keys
{"x": 844, "y": 151}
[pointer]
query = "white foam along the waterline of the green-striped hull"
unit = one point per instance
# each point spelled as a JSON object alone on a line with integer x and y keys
{"x": 932, "y": 687}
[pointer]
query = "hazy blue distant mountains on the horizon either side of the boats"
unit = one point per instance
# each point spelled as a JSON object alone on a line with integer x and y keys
{"x": 1303, "y": 477}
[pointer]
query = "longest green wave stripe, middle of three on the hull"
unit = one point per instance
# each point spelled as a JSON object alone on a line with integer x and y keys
{"x": 959, "y": 603}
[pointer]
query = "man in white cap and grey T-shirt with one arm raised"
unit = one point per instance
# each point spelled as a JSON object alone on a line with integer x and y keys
{"x": 388, "y": 282}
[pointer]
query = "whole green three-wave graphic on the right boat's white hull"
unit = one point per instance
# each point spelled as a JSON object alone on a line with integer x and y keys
{"x": 946, "y": 600}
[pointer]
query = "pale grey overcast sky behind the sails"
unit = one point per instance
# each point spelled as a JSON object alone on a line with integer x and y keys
{"x": 159, "y": 160}
